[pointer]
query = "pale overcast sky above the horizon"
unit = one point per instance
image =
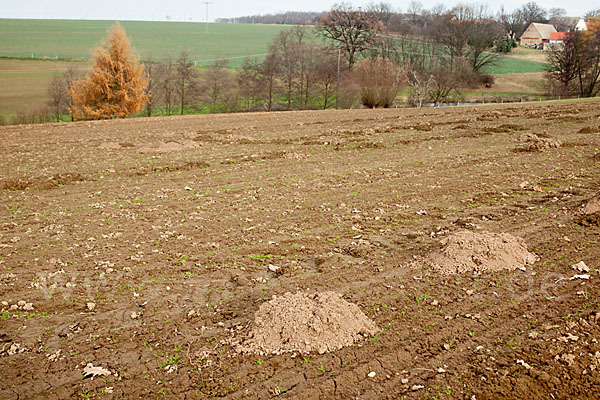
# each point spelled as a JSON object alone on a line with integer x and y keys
{"x": 179, "y": 10}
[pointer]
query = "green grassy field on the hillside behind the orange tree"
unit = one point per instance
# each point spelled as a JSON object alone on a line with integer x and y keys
{"x": 76, "y": 38}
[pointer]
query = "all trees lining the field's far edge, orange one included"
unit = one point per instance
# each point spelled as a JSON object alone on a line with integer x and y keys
{"x": 359, "y": 60}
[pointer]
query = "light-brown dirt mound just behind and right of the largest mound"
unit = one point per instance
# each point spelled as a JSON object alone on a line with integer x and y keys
{"x": 465, "y": 252}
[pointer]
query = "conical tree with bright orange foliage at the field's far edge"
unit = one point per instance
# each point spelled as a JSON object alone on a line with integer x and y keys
{"x": 115, "y": 85}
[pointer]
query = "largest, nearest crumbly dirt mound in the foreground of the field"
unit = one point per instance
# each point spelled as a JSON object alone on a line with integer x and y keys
{"x": 304, "y": 322}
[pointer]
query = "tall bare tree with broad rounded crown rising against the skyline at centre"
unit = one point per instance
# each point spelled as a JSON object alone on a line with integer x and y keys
{"x": 351, "y": 30}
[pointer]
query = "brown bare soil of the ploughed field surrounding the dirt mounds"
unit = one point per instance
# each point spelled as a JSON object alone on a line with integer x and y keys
{"x": 135, "y": 254}
